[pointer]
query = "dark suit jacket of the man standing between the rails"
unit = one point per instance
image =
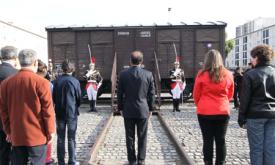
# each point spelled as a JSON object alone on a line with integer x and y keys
{"x": 136, "y": 92}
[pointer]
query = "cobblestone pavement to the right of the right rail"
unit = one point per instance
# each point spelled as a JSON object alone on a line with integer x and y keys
{"x": 186, "y": 128}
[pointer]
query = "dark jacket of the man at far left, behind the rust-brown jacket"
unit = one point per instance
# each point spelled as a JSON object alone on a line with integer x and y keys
{"x": 6, "y": 70}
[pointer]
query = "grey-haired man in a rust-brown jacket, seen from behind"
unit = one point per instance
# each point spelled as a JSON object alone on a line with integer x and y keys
{"x": 27, "y": 112}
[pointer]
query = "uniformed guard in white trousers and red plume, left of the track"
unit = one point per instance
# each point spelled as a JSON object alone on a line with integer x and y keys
{"x": 94, "y": 81}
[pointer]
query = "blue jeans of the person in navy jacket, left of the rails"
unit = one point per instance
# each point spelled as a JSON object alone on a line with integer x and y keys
{"x": 61, "y": 131}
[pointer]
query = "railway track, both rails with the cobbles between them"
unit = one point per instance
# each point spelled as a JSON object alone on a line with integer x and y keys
{"x": 163, "y": 147}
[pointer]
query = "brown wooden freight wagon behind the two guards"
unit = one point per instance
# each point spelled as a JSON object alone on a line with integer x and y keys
{"x": 111, "y": 46}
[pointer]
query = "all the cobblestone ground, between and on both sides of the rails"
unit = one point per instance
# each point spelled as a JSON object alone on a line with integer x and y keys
{"x": 160, "y": 151}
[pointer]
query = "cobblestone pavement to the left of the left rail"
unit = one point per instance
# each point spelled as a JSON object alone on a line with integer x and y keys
{"x": 89, "y": 127}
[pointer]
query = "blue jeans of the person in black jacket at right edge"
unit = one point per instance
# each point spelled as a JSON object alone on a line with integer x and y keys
{"x": 261, "y": 138}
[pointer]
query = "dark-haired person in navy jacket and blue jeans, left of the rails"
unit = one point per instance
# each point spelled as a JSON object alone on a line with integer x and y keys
{"x": 66, "y": 96}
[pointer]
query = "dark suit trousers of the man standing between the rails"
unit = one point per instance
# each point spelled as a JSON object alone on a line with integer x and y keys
{"x": 130, "y": 127}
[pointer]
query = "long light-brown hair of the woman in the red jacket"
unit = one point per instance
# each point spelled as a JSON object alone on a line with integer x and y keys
{"x": 213, "y": 63}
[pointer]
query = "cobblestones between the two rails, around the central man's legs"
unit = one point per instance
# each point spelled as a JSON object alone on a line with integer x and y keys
{"x": 159, "y": 148}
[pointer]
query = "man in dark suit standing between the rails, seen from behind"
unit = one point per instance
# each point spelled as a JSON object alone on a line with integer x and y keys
{"x": 136, "y": 95}
